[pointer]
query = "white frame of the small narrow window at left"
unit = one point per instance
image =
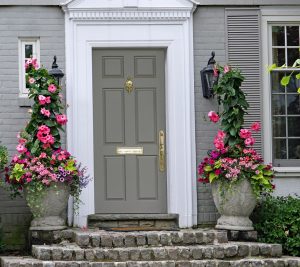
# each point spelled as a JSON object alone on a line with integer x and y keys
{"x": 35, "y": 42}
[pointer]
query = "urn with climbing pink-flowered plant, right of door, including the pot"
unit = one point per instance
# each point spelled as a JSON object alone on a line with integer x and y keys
{"x": 235, "y": 170}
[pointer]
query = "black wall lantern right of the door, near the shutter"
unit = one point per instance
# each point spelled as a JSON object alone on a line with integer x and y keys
{"x": 208, "y": 78}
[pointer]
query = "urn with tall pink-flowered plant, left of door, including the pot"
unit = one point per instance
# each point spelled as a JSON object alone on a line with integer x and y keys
{"x": 45, "y": 172}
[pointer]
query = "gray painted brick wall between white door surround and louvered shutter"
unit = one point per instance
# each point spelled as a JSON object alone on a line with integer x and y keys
{"x": 209, "y": 35}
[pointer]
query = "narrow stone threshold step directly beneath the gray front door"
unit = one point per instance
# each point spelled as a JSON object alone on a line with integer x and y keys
{"x": 146, "y": 221}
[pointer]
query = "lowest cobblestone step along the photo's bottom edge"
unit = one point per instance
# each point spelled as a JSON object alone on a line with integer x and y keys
{"x": 249, "y": 262}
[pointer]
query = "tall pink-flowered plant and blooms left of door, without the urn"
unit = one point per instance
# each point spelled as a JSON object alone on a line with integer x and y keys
{"x": 41, "y": 162}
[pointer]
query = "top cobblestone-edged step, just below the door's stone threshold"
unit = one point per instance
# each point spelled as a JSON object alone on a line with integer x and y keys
{"x": 101, "y": 238}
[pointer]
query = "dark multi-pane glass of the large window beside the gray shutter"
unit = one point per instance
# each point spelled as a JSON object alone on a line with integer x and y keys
{"x": 285, "y": 100}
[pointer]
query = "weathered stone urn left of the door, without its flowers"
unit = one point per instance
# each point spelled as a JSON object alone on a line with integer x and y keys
{"x": 49, "y": 207}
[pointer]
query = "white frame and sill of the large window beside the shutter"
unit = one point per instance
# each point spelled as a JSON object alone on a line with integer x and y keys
{"x": 272, "y": 16}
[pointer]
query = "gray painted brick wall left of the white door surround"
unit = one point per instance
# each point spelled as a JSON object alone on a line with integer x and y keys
{"x": 47, "y": 23}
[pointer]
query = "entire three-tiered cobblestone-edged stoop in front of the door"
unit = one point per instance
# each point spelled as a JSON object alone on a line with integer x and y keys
{"x": 184, "y": 248}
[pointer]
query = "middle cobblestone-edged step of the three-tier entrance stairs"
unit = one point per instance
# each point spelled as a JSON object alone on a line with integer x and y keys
{"x": 71, "y": 252}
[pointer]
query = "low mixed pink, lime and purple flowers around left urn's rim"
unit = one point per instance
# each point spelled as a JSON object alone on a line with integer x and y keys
{"x": 29, "y": 170}
